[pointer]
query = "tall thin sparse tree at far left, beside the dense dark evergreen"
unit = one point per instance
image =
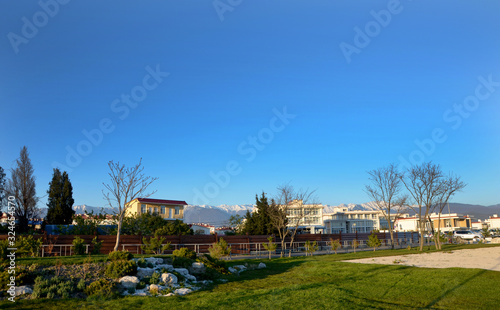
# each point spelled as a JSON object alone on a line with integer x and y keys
{"x": 22, "y": 187}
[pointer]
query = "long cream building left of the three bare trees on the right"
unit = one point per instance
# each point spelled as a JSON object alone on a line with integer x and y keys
{"x": 344, "y": 221}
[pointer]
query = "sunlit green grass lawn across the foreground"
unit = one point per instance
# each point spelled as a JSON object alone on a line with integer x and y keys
{"x": 322, "y": 282}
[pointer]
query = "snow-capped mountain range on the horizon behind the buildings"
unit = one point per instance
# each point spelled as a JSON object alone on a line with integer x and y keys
{"x": 219, "y": 215}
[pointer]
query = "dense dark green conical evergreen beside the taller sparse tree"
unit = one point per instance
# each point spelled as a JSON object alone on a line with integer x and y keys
{"x": 60, "y": 199}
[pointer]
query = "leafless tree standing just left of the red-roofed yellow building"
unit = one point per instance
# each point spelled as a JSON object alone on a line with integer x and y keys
{"x": 127, "y": 184}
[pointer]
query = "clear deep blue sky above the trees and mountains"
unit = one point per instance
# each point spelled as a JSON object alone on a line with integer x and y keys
{"x": 363, "y": 85}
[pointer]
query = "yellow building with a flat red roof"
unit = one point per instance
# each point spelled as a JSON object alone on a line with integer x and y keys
{"x": 168, "y": 209}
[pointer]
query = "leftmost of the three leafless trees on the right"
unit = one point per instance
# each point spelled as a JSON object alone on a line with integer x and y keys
{"x": 385, "y": 192}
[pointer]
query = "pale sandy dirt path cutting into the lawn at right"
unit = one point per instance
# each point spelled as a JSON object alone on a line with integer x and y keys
{"x": 484, "y": 258}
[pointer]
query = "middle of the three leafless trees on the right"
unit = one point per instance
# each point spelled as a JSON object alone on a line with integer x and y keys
{"x": 426, "y": 187}
